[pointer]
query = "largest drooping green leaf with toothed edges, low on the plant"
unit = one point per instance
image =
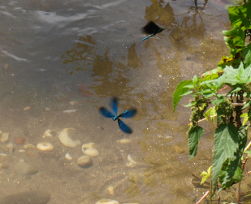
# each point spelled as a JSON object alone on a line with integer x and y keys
{"x": 225, "y": 147}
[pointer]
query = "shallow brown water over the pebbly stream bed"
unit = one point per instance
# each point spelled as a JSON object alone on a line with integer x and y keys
{"x": 61, "y": 60}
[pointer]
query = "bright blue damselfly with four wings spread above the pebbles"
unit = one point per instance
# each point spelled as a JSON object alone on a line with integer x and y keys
{"x": 114, "y": 115}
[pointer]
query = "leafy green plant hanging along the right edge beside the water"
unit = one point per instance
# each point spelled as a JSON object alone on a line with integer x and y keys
{"x": 223, "y": 95}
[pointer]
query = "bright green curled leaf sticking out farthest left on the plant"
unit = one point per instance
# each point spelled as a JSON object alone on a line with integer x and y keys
{"x": 180, "y": 91}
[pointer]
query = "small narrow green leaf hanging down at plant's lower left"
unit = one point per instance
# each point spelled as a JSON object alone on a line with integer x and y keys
{"x": 194, "y": 134}
